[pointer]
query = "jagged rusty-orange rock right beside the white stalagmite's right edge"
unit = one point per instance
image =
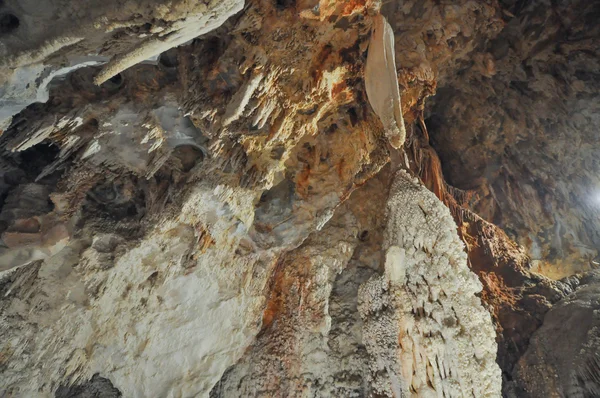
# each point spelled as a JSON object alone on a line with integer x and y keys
{"x": 517, "y": 298}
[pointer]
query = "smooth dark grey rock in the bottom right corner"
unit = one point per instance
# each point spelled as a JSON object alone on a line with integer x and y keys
{"x": 562, "y": 358}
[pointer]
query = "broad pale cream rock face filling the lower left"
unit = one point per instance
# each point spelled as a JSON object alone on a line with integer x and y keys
{"x": 128, "y": 309}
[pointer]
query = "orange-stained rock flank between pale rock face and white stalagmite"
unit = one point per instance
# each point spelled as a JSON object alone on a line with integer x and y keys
{"x": 311, "y": 343}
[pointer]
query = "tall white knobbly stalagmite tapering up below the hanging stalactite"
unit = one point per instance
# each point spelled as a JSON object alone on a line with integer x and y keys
{"x": 424, "y": 327}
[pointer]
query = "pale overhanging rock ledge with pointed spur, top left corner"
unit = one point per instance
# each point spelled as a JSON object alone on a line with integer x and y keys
{"x": 42, "y": 42}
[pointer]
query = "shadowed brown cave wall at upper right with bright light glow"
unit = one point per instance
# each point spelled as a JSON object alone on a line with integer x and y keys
{"x": 518, "y": 124}
